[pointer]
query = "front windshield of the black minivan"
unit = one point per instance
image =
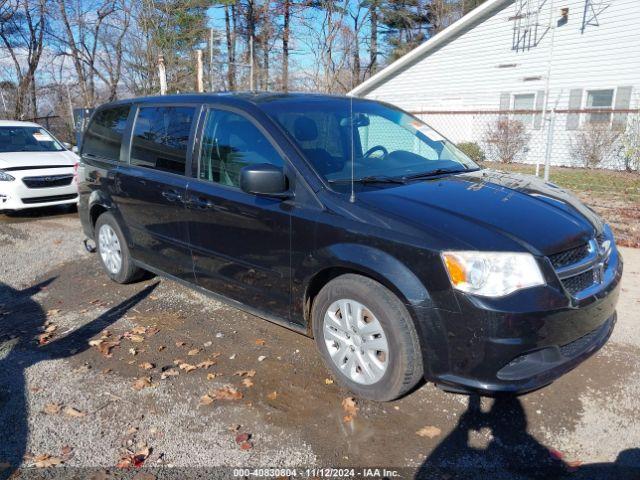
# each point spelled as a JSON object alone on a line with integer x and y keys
{"x": 383, "y": 141}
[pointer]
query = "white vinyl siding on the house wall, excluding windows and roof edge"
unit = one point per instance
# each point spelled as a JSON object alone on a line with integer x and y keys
{"x": 479, "y": 70}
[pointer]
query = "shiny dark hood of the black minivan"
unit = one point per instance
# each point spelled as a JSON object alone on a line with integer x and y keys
{"x": 490, "y": 210}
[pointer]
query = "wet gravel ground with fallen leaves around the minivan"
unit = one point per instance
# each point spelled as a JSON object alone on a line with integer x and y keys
{"x": 587, "y": 423}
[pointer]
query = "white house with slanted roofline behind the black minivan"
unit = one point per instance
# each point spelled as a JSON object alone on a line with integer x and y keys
{"x": 506, "y": 55}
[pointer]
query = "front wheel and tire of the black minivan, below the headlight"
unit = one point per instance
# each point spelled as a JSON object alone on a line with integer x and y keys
{"x": 373, "y": 374}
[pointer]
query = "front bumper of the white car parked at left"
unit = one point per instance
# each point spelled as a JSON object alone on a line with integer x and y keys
{"x": 15, "y": 195}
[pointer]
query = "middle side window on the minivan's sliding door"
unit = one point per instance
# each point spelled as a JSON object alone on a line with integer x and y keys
{"x": 160, "y": 138}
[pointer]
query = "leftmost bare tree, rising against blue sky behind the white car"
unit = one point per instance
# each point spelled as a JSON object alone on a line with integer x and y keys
{"x": 22, "y": 26}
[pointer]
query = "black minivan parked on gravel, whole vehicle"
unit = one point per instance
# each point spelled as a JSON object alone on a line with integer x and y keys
{"x": 353, "y": 222}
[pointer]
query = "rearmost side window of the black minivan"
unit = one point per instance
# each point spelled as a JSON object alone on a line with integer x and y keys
{"x": 104, "y": 135}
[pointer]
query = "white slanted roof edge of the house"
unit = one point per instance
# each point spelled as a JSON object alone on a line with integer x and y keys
{"x": 454, "y": 30}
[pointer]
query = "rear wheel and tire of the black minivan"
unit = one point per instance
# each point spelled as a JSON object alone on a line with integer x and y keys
{"x": 124, "y": 271}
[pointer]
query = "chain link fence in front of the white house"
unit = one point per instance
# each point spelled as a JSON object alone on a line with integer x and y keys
{"x": 587, "y": 138}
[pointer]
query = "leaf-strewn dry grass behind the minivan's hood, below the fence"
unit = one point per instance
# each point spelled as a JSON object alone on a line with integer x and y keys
{"x": 614, "y": 195}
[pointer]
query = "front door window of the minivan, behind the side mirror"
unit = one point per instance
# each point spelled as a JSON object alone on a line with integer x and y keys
{"x": 229, "y": 143}
